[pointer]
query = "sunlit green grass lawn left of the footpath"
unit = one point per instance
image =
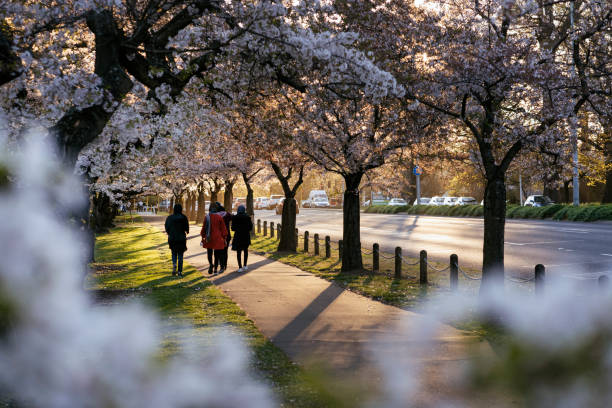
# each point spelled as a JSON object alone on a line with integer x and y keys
{"x": 133, "y": 261}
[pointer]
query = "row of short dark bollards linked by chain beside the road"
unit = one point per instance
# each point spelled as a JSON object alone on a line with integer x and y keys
{"x": 398, "y": 260}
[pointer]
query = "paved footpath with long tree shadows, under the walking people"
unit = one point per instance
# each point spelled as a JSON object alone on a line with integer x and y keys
{"x": 314, "y": 320}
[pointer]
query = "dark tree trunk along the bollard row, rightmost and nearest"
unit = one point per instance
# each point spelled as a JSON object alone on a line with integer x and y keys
{"x": 494, "y": 228}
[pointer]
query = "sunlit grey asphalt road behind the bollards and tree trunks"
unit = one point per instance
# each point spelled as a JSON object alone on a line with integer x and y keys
{"x": 574, "y": 249}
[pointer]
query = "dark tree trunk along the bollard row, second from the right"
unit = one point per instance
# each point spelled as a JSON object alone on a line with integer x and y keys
{"x": 351, "y": 236}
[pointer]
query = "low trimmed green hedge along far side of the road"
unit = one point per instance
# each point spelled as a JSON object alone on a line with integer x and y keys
{"x": 587, "y": 212}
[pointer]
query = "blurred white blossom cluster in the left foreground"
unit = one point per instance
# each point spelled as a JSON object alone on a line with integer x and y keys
{"x": 59, "y": 351}
